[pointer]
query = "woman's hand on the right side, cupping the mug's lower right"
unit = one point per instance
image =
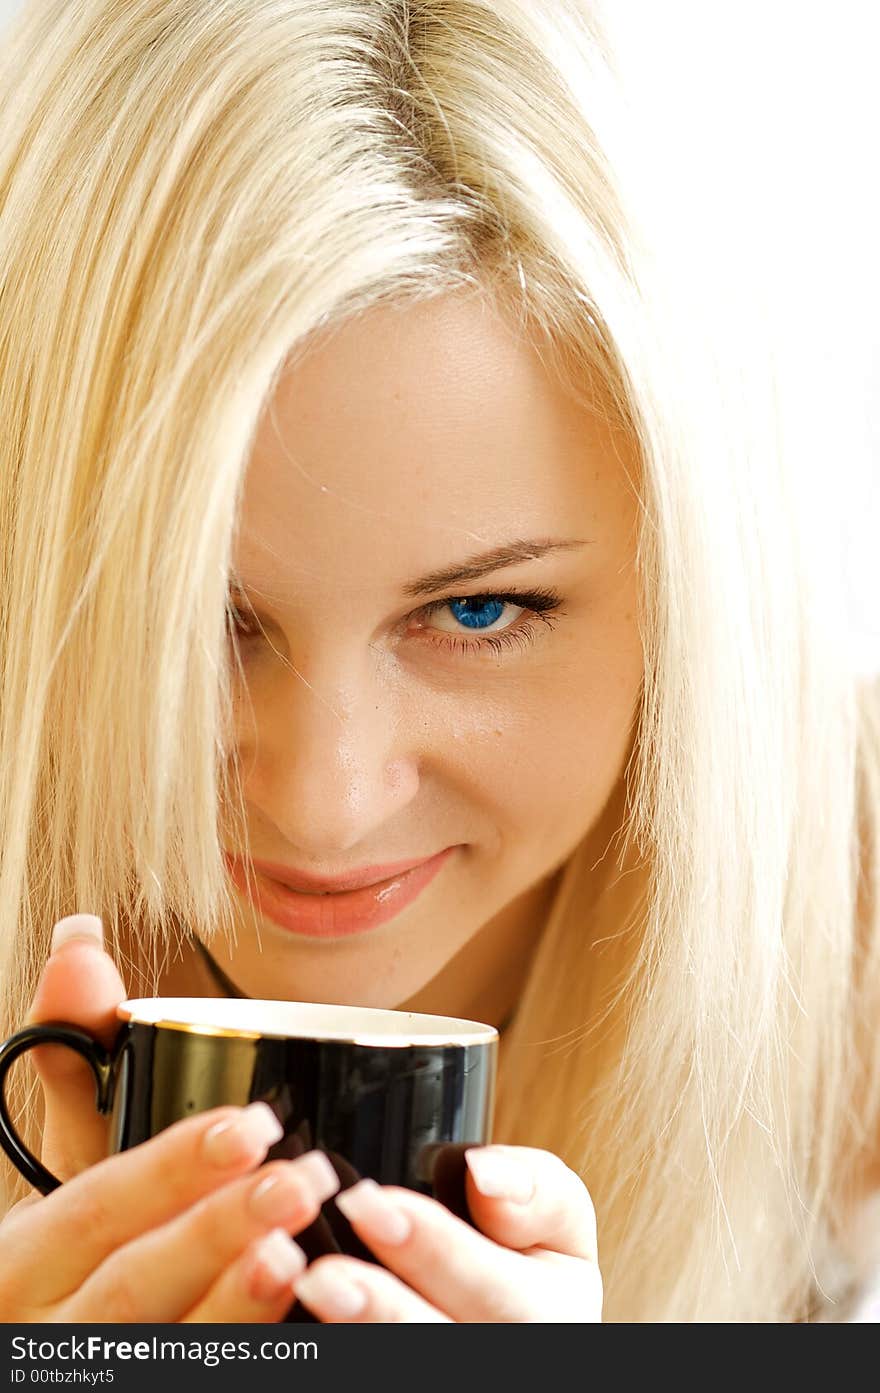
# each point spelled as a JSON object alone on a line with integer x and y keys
{"x": 535, "y": 1259}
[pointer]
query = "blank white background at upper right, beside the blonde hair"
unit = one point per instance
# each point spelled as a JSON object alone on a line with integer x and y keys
{"x": 811, "y": 68}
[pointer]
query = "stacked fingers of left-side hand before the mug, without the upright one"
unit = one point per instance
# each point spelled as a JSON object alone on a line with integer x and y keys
{"x": 175, "y": 1229}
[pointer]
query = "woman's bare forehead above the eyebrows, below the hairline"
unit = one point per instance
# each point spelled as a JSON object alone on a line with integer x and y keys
{"x": 410, "y": 437}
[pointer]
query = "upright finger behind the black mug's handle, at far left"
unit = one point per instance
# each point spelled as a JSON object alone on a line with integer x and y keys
{"x": 80, "y": 986}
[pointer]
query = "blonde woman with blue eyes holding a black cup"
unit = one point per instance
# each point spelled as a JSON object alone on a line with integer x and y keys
{"x": 393, "y": 465}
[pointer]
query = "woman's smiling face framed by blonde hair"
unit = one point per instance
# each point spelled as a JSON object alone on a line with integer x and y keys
{"x": 381, "y": 725}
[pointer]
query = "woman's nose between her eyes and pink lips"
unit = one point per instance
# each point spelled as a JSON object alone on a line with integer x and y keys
{"x": 327, "y": 767}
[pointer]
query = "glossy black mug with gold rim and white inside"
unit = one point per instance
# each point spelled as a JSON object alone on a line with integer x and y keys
{"x": 393, "y": 1096}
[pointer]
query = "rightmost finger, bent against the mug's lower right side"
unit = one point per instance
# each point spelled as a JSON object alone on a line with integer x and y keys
{"x": 523, "y": 1197}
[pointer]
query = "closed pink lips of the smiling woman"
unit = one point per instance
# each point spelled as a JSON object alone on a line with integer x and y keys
{"x": 336, "y": 915}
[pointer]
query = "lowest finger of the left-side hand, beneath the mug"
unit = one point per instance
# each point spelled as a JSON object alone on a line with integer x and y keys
{"x": 258, "y": 1288}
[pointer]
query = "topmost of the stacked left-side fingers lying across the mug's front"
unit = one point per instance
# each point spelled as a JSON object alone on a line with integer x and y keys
{"x": 70, "y": 1232}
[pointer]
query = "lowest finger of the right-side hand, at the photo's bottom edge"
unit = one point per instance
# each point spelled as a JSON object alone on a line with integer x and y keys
{"x": 347, "y": 1291}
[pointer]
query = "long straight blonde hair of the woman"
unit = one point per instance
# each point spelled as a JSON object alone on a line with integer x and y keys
{"x": 189, "y": 192}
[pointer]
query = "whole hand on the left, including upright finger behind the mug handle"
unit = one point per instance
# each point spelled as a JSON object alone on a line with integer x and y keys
{"x": 179, "y": 1229}
